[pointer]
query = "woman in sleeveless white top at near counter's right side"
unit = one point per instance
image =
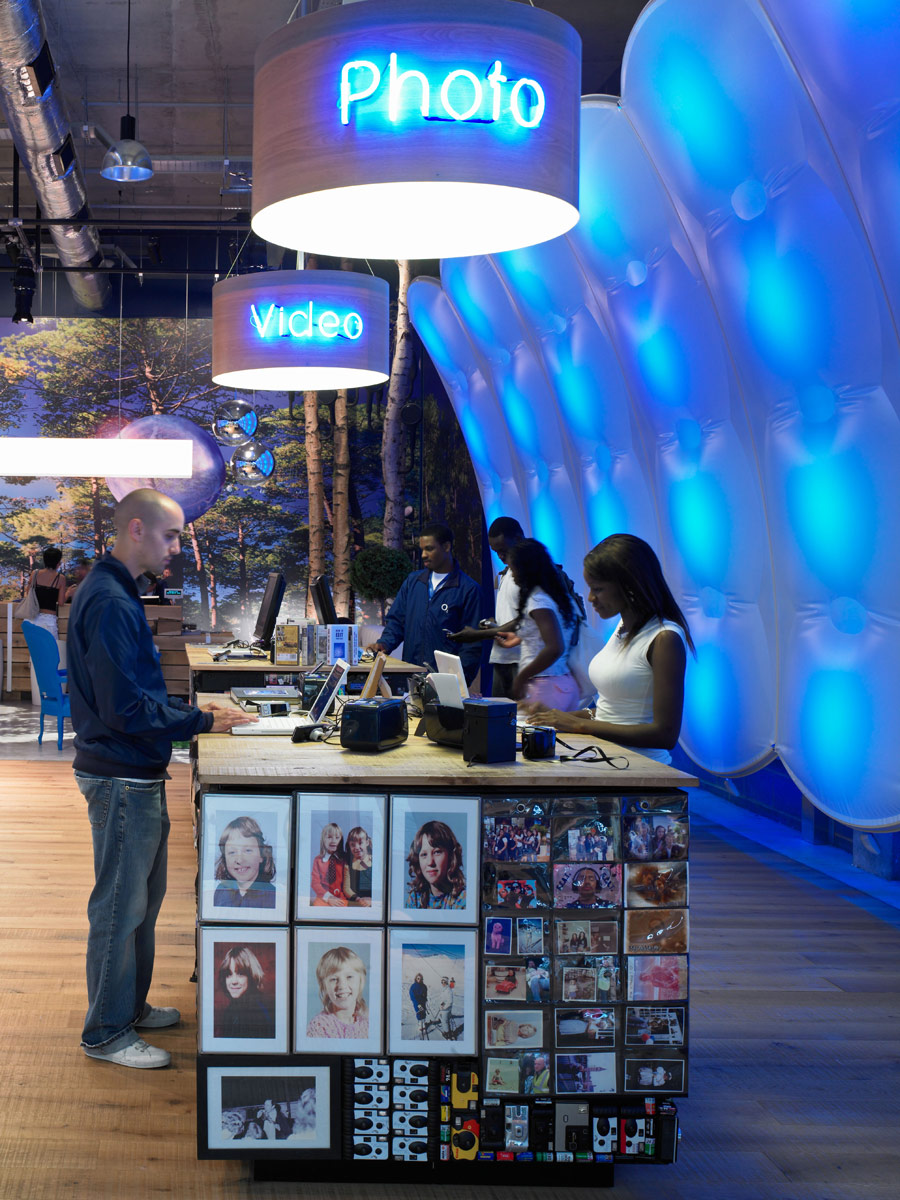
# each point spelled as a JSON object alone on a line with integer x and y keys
{"x": 639, "y": 674}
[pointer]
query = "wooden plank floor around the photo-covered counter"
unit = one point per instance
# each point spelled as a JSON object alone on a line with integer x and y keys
{"x": 795, "y": 1034}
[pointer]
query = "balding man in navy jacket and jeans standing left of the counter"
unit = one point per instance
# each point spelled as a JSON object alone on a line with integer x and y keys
{"x": 125, "y": 725}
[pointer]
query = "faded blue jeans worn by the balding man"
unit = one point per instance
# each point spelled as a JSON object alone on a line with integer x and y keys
{"x": 130, "y": 826}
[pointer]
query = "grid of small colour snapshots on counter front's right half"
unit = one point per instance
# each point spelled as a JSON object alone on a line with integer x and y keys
{"x": 589, "y": 992}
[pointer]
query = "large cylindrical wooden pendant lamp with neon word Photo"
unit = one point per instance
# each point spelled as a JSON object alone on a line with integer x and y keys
{"x": 417, "y": 129}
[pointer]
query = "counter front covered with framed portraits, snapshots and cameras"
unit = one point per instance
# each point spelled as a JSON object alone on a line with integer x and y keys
{"x": 431, "y": 983}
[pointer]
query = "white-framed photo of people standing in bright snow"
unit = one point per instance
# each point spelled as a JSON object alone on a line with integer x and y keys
{"x": 434, "y": 981}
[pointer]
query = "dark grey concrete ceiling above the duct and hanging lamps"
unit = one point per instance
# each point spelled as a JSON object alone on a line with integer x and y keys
{"x": 193, "y": 87}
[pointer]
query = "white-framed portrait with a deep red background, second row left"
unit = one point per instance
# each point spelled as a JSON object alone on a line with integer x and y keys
{"x": 244, "y": 989}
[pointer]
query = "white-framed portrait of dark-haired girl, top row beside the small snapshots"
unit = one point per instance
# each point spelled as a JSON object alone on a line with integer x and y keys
{"x": 435, "y": 849}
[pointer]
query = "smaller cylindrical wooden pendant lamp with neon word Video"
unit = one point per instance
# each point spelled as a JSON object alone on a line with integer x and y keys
{"x": 301, "y": 331}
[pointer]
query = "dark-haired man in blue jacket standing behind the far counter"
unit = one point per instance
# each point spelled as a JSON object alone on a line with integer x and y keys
{"x": 434, "y": 603}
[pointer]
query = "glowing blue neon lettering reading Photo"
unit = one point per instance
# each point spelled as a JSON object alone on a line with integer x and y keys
{"x": 460, "y": 95}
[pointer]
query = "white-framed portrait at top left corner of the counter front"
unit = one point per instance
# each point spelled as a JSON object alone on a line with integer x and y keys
{"x": 245, "y": 859}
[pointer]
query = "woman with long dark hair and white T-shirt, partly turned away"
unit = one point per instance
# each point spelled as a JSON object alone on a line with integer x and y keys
{"x": 545, "y": 622}
